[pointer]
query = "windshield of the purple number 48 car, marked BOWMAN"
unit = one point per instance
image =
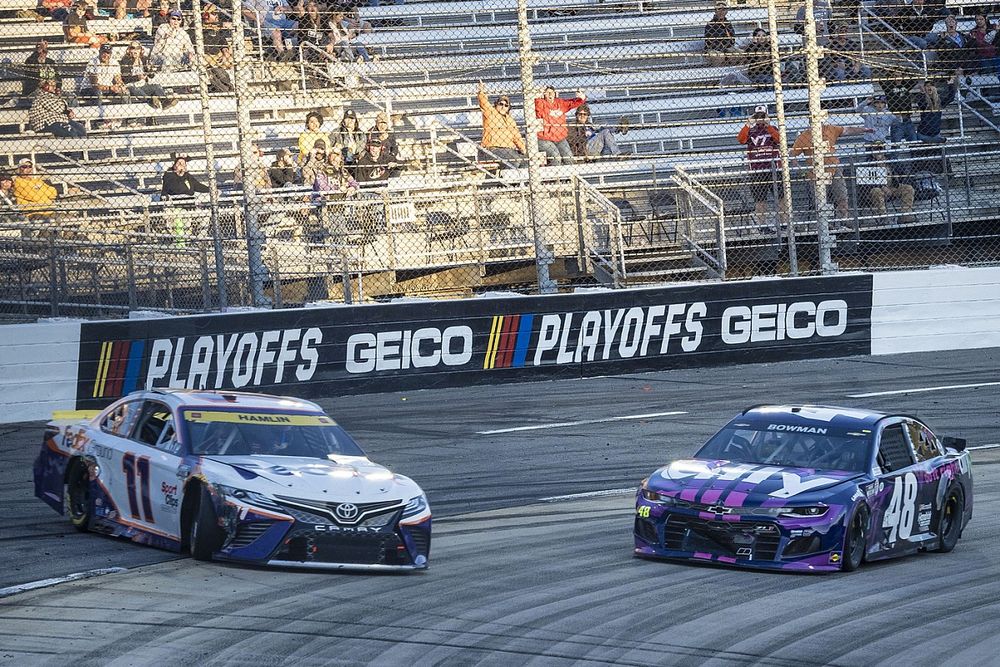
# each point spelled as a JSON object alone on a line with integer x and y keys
{"x": 790, "y": 445}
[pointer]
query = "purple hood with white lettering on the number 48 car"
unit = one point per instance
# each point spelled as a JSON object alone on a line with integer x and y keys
{"x": 742, "y": 484}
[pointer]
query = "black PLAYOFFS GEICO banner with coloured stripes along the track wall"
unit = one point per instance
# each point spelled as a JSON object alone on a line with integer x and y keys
{"x": 372, "y": 348}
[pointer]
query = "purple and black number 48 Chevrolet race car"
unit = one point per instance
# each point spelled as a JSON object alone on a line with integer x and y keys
{"x": 808, "y": 488}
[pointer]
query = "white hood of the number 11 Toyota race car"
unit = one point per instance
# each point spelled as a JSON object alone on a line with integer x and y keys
{"x": 348, "y": 478}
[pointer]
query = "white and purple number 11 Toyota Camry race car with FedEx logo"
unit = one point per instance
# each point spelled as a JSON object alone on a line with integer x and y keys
{"x": 241, "y": 477}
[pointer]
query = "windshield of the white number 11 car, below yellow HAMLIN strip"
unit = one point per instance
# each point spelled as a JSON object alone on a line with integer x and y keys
{"x": 242, "y": 433}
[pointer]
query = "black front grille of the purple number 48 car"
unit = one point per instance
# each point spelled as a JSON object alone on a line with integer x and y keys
{"x": 736, "y": 539}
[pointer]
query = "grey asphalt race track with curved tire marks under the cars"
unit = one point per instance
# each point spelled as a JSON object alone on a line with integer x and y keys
{"x": 517, "y": 581}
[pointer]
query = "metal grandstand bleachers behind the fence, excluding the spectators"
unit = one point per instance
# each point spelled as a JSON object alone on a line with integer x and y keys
{"x": 672, "y": 206}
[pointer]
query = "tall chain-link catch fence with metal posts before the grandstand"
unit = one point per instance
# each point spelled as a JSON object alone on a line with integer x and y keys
{"x": 194, "y": 157}
